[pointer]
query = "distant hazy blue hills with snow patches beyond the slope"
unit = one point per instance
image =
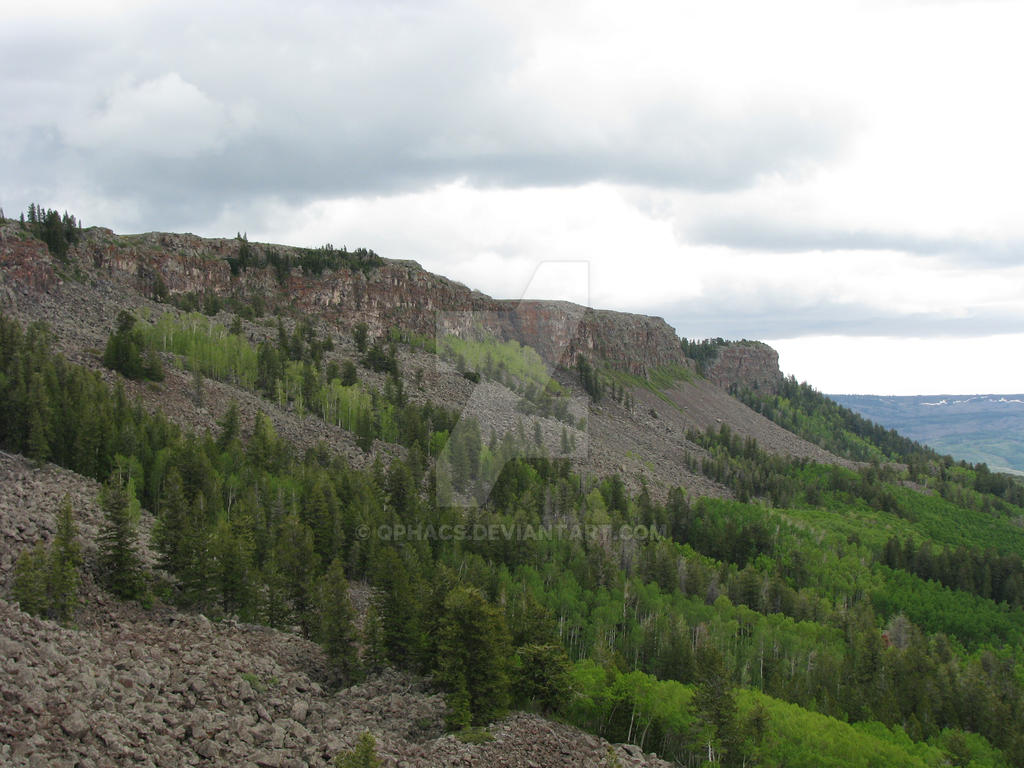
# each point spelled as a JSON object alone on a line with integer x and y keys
{"x": 977, "y": 429}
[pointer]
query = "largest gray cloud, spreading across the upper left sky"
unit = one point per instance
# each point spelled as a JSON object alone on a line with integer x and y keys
{"x": 362, "y": 99}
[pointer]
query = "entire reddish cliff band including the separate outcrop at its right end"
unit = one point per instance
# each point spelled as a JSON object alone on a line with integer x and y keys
{"x": 382, "y": 293}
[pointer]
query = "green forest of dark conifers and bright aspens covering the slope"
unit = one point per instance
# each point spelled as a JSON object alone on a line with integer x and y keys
{"x": 824, "y": 617}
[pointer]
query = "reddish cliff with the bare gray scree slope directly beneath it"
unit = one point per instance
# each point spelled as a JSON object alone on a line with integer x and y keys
{"x": 111, "y": 274}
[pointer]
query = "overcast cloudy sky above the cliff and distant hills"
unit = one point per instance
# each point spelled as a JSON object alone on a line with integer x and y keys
{"x": 842, "y": 181}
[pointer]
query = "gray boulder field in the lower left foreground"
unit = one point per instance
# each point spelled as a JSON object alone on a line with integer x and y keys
{"x": 159, "y": 688}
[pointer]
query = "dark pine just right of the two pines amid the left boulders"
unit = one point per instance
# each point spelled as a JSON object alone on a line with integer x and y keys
{"x": 121, "y": 567}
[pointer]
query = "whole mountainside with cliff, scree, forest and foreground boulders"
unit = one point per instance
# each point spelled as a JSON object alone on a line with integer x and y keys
{"x": 535, "y": 506}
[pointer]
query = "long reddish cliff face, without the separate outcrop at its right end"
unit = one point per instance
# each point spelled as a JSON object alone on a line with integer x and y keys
{"x": 397, "y": 293}
